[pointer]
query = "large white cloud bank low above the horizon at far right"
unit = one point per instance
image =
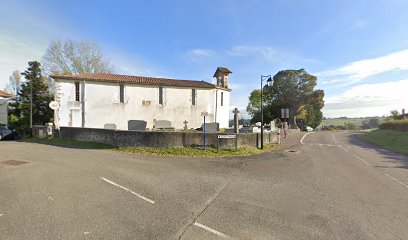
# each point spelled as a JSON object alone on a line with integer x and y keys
{"x": 368, "y": 100}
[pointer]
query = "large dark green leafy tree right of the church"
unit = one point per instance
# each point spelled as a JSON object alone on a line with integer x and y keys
{"x": 293, "y": 89}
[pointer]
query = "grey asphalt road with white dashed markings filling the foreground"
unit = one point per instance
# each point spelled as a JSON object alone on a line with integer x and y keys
{"x": 328, "y": 186}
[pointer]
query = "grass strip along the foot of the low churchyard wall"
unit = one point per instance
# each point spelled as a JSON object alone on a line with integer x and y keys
{"x": 190, "y": 152}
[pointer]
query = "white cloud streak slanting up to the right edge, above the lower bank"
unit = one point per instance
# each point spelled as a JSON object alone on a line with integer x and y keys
{"x": 360, "y": 70}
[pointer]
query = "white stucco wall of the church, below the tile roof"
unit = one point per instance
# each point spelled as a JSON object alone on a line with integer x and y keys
{"x": 102, "y": 105}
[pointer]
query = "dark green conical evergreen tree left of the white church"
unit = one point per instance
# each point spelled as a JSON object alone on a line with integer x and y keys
{"x": 20, "y": 109}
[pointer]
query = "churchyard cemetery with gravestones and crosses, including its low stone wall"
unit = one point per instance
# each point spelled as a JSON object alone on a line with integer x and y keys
{"x": 163, "y": 135}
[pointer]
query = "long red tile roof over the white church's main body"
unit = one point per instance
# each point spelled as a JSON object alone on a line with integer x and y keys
{"x": 106, "y": 77}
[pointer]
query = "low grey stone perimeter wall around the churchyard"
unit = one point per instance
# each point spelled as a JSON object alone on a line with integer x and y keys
{"x": 162, "y": 139}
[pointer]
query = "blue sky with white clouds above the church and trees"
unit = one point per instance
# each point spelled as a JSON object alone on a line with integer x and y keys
{"x": 358, "y": 49}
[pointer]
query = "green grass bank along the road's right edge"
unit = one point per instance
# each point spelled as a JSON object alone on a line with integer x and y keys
{"x": 395, "y": 141}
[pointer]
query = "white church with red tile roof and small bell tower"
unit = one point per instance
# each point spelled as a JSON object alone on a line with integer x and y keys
{"x": 100, "y": 100}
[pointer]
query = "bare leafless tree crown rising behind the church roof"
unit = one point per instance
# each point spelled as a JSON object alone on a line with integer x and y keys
{"x": 73, "y": 57}
